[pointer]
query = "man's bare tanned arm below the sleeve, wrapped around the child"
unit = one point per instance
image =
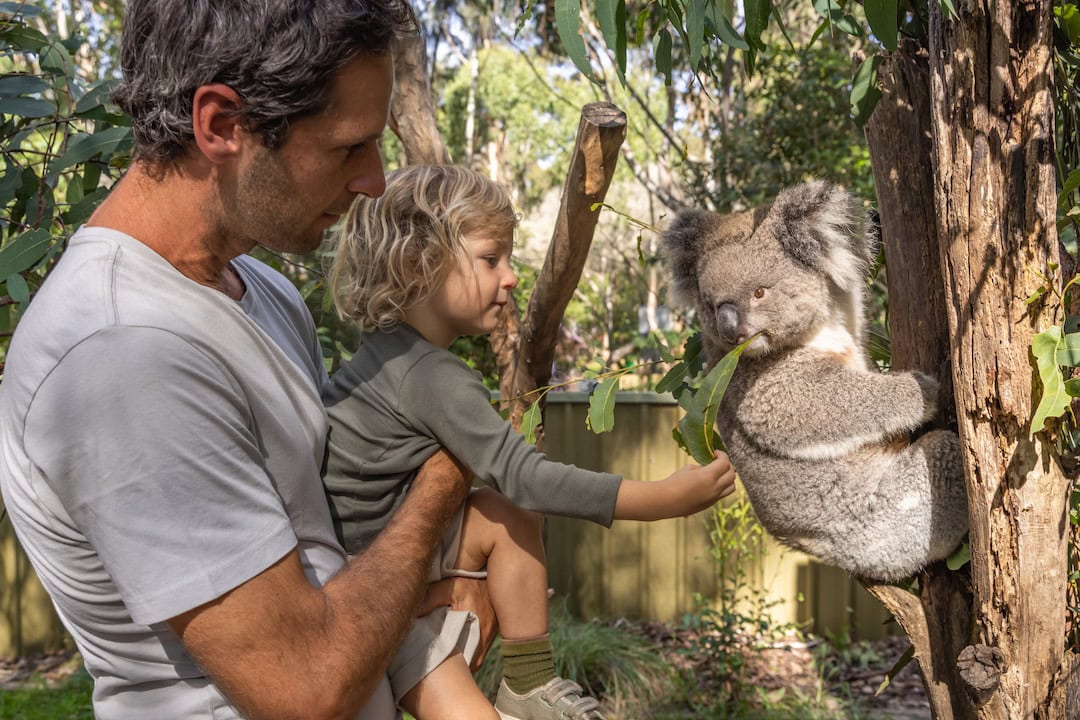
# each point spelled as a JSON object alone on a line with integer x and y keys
{"x": 279, "y": 647}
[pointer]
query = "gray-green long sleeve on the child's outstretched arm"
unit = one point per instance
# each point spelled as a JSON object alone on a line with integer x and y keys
{"x": 450, "y": 403}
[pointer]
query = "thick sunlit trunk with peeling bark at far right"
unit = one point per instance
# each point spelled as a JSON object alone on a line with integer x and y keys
{"x": 994, "y": 148}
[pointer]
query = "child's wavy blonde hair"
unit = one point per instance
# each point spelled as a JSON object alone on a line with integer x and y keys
{"x": 395, "y": 250}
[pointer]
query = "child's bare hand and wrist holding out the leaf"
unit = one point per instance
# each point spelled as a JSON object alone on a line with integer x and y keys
{"x": 685, "y": 492}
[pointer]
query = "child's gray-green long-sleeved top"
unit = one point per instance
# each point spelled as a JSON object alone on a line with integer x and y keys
{"x": 397, "y": 402}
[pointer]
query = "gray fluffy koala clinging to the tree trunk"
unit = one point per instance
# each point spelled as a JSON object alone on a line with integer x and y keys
{"x": 821, "y": 440}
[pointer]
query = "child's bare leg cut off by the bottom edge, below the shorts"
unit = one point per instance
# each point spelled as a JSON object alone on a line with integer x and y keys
{"x": 449, "y": 694}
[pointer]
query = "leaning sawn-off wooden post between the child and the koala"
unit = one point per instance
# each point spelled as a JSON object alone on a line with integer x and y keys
{"x": 529, "y": 364}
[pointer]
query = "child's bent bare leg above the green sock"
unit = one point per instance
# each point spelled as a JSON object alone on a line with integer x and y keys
{"x": 507, "y": 540}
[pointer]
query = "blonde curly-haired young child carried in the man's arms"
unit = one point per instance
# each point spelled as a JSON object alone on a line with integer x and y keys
{"x": 415, "y": 269}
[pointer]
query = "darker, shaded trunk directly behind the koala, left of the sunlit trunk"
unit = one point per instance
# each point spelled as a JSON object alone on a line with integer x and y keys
{"x": 938, "y": 620}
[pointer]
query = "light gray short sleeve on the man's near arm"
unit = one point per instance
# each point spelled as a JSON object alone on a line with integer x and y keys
{"x": 151, "y": 446}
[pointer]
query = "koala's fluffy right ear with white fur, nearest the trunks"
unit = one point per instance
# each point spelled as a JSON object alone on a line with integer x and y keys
{"x": 826, "y": 228}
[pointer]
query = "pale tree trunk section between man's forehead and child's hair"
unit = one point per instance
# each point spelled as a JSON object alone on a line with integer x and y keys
{"x": 412, "y": 110}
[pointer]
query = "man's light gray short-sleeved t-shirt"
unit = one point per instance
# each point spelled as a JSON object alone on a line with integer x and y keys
{"x": 160, "y": 445}
